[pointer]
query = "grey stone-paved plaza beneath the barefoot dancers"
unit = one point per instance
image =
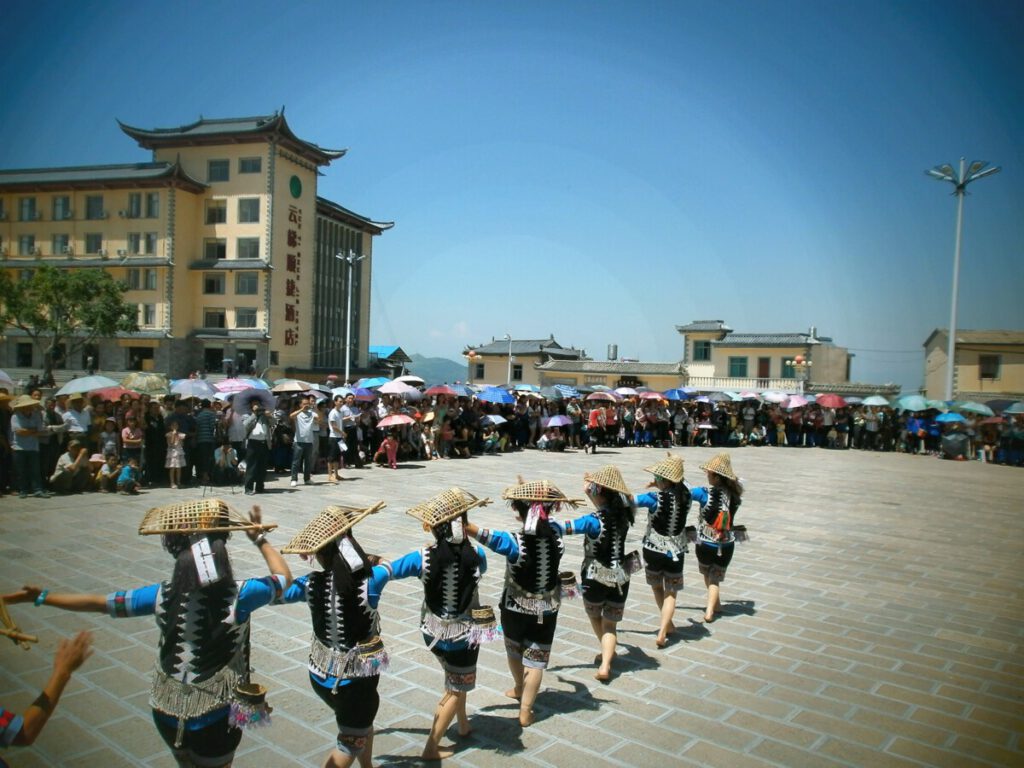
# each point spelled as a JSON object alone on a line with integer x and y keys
{"x": 875, "y": 619}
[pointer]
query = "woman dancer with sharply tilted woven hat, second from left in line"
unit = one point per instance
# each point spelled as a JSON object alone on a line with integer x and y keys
{"x": 347, "y": 657}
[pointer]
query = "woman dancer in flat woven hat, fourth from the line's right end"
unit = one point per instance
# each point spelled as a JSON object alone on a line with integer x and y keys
{"x": 533, "y": 593}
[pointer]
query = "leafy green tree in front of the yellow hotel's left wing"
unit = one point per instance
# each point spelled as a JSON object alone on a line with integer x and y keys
{"x": 73, "y": 308}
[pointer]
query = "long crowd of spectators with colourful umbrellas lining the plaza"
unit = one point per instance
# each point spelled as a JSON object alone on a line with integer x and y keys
{"x": 86, "y": 444}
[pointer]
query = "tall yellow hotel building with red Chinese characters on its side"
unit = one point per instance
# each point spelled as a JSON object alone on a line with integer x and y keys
{"x": 223, "y": 240}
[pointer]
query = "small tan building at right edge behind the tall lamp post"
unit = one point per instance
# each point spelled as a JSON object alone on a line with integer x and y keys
{"x": 990, "y": 365}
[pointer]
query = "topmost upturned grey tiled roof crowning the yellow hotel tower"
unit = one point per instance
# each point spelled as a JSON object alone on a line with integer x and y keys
{"x": 232, "y": 131}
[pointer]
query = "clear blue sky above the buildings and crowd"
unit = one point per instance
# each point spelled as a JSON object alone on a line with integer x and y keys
{"x": 598, "y": 172}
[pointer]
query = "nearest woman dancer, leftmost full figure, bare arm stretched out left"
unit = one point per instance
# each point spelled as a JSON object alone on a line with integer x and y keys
{"x": 203, "y": 615}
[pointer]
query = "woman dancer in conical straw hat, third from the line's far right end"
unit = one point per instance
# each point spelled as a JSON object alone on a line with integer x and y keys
{"x": 606, "y": 573}
